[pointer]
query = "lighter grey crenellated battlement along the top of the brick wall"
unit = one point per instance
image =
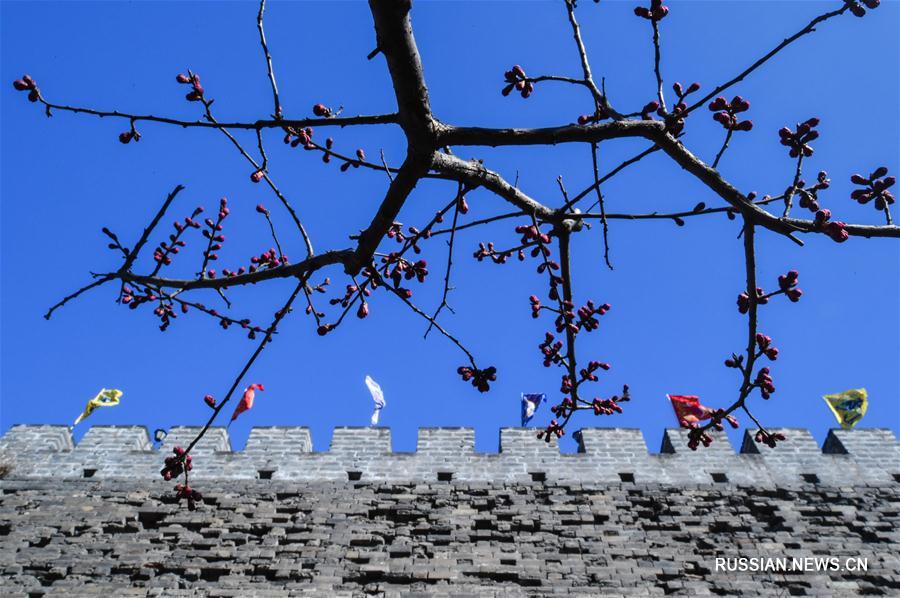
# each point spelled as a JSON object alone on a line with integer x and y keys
{"x": 605, "y": 455}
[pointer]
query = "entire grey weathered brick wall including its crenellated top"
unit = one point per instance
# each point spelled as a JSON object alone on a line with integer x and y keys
{"x": 493, "y": 529}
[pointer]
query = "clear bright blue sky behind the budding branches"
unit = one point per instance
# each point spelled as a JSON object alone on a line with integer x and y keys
{"x": 673, "y": 289}
